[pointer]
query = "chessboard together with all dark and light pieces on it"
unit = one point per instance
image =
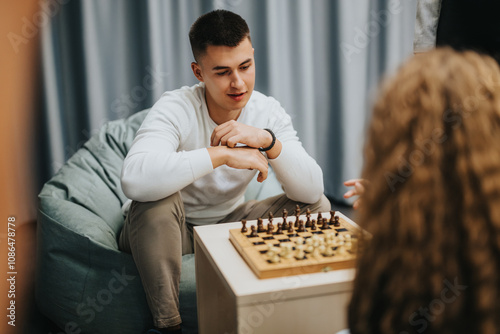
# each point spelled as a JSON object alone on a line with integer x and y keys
{"x": 299, "y": 244}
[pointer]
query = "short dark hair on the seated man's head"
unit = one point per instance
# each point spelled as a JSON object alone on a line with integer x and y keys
{"x": 218, "y": 27}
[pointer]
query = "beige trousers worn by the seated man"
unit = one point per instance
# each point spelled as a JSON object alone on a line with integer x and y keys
{"x": 157, "y": 235}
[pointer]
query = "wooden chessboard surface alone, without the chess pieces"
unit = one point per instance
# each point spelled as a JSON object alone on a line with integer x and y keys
{"x": 255, "y": 249}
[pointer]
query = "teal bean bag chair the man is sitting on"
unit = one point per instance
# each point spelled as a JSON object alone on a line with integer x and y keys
{"x": 84, "y": 283}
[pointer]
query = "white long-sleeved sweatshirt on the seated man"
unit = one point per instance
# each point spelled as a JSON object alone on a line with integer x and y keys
{"x": 169, "y": 154}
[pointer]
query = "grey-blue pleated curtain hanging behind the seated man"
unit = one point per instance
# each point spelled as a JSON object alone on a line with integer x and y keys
{"x": 322, "y": 59}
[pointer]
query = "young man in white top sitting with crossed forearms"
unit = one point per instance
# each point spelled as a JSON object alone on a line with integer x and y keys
{"x": 195, "y": 154}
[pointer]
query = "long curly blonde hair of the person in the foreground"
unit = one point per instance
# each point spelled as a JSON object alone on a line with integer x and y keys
{"x": 432, "y": 160}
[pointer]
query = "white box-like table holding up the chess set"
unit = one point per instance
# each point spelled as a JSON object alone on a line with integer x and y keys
{"x": 231, "y": 299}
